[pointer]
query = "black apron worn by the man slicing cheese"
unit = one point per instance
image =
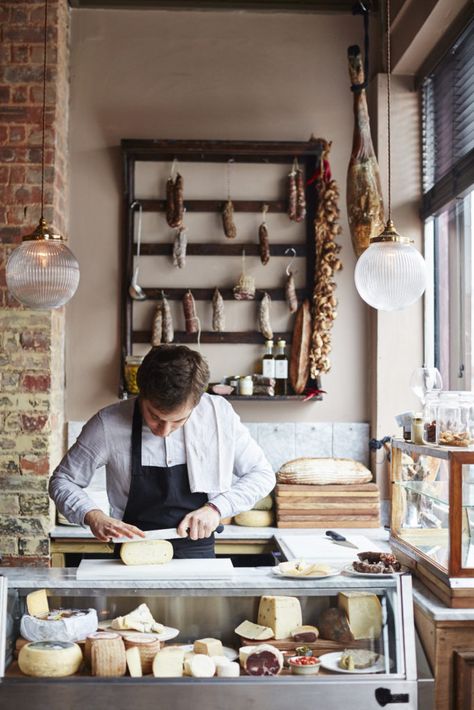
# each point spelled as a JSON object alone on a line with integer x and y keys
{"x": 160, "y": 497}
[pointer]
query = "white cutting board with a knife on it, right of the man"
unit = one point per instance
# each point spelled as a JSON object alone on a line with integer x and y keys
{"x": 317, "y": 547}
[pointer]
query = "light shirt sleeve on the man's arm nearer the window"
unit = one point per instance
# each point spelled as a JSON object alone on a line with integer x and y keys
{"x": 253, "y": 476}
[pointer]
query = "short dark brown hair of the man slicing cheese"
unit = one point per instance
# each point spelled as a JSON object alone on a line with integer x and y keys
{"x": 170, "y": 375}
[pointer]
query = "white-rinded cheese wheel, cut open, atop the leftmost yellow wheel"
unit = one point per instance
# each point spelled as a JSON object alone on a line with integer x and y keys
{"x": 66, "y": 625}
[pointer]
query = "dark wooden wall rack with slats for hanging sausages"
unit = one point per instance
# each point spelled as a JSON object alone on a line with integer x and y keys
{"x": 249, "y": 152}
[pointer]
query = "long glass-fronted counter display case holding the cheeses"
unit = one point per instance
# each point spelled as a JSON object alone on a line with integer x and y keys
{"x": 215, "y": 610}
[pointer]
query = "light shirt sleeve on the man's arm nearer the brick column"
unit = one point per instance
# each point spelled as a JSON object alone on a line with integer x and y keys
{"x": 74, "y": 473}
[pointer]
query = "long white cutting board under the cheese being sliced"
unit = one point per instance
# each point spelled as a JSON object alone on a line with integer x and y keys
{"x": 90, "y": 570}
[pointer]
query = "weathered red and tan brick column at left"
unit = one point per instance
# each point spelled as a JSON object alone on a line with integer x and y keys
{"x": 31, "y": 342}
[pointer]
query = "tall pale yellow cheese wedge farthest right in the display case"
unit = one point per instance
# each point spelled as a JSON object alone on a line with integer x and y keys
{"x": 364, "y": 614}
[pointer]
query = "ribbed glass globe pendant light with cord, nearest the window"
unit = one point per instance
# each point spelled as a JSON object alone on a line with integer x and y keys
{"x": 390, "y": 274}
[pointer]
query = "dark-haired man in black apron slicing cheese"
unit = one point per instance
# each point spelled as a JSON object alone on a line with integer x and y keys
{"x": 174, "y": 457}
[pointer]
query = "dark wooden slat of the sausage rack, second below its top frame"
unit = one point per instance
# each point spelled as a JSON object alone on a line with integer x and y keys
{"x": 217, "y": 249}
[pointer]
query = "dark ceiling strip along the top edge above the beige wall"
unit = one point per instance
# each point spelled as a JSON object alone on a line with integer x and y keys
{"x": 326, "y": 6}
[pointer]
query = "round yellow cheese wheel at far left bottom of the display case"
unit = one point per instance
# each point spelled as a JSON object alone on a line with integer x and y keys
{"x": 50, "y": 659}
